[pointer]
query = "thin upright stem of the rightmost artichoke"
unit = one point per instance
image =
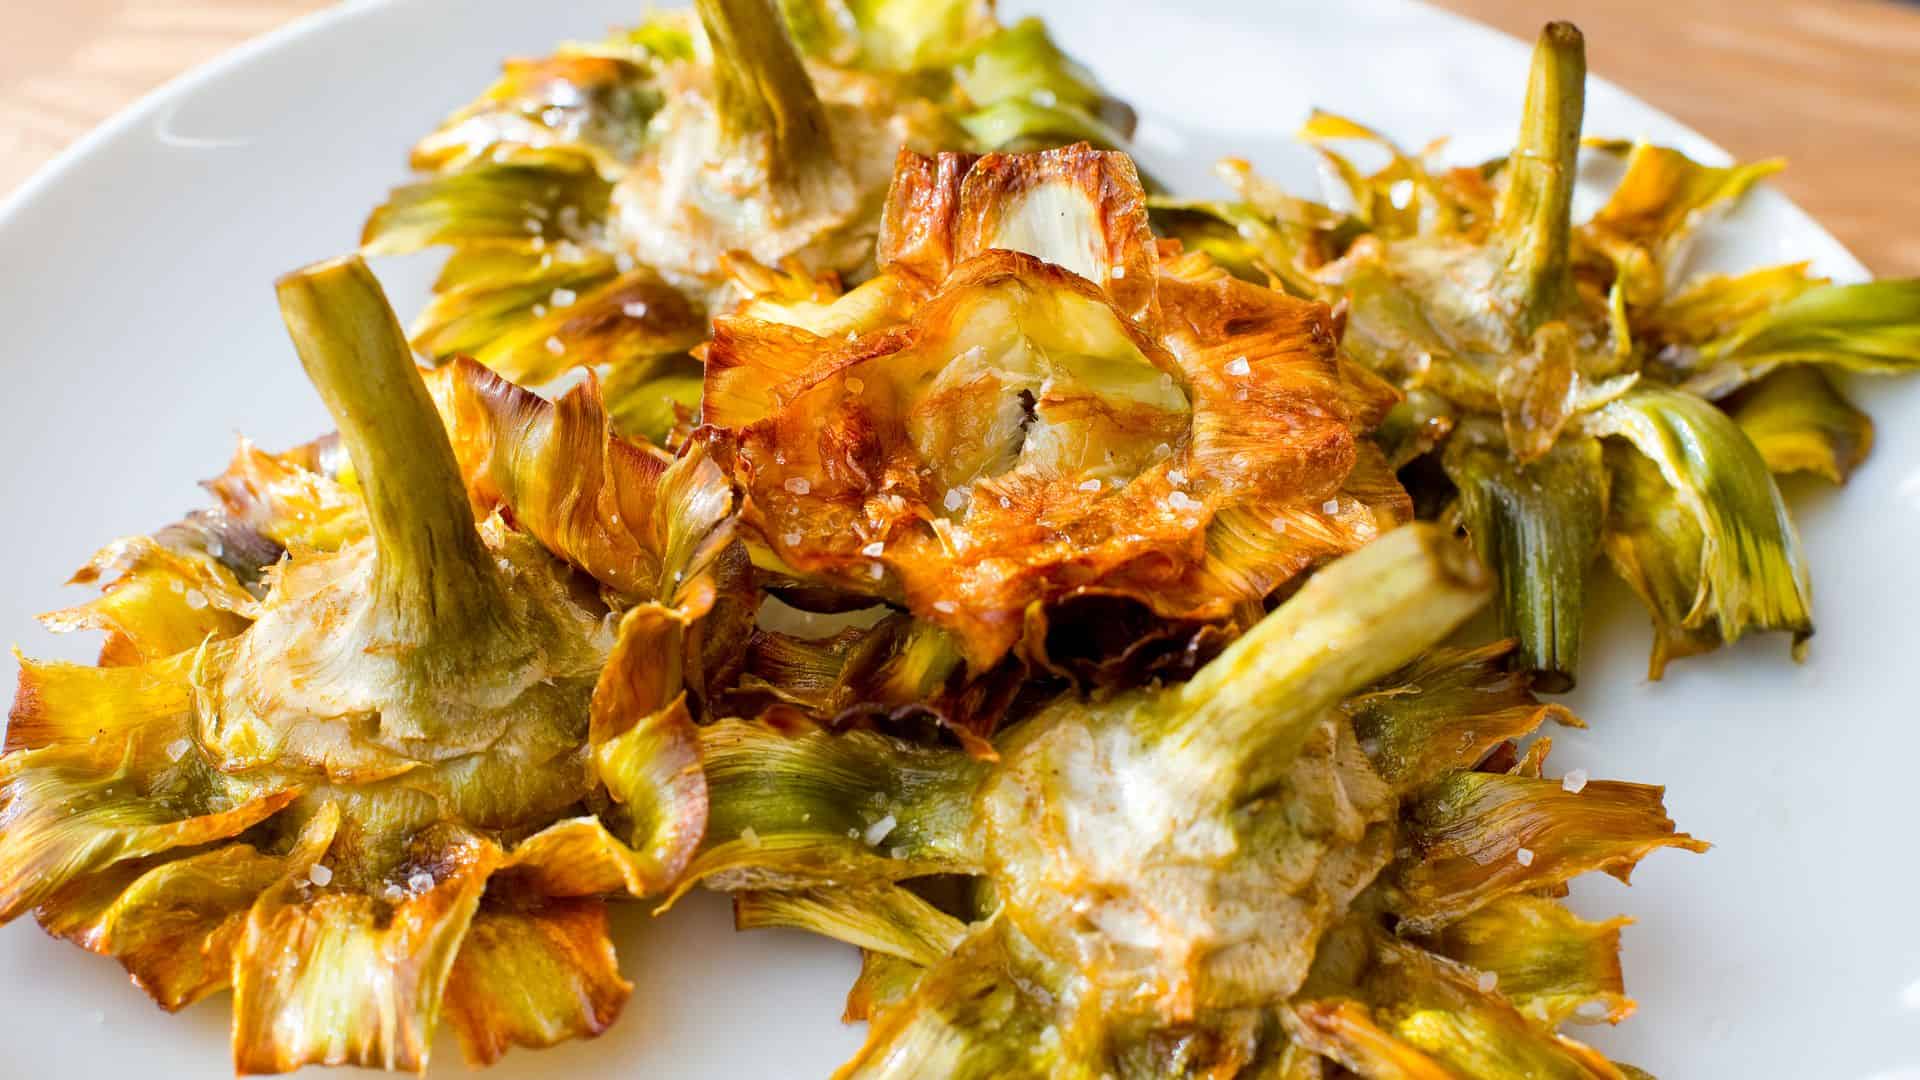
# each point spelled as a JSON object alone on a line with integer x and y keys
{"x": 1535, "y": 216}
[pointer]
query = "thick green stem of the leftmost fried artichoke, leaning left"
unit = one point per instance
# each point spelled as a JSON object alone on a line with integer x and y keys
{"x": 433, "y": 570}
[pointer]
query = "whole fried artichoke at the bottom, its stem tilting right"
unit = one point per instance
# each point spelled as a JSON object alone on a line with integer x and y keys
{"x": 1312, "y": 852}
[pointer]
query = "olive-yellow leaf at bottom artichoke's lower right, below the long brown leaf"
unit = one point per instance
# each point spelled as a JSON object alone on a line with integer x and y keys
{"x": 1547, "y": 960}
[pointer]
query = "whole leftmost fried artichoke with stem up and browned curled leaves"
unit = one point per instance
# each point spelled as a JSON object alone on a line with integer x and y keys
{"x": 360, "y": 745}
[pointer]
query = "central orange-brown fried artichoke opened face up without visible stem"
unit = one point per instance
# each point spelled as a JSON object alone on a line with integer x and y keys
{"x": 1036, "y": 406}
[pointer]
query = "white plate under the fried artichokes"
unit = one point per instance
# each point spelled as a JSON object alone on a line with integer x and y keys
{"x": 141, "y": 335}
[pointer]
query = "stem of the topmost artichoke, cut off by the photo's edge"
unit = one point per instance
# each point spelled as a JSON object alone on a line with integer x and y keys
{"x": 763, "y": 89}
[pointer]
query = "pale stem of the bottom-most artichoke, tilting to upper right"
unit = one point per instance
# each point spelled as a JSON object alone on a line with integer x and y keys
{"x": 1355, "y": 622}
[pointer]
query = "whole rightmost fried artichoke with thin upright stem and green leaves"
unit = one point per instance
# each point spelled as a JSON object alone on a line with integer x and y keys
{"x": 1570, "y": 395}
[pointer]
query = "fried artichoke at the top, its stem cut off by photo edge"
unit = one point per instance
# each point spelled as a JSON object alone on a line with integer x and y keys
{"x": 592, "y": 197}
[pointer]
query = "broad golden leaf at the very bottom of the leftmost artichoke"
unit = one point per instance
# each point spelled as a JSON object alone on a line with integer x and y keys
{"x": 335, "y": 977}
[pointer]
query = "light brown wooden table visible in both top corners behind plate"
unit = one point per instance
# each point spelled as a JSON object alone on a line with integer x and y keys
{"x": 1835, "y": 86}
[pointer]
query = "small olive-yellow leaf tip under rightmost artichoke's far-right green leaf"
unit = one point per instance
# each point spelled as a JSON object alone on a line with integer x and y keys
{"x": 1802, "y": 424}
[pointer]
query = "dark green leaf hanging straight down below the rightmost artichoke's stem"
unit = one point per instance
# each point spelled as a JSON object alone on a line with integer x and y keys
{"x": 1539, "y": 526}
